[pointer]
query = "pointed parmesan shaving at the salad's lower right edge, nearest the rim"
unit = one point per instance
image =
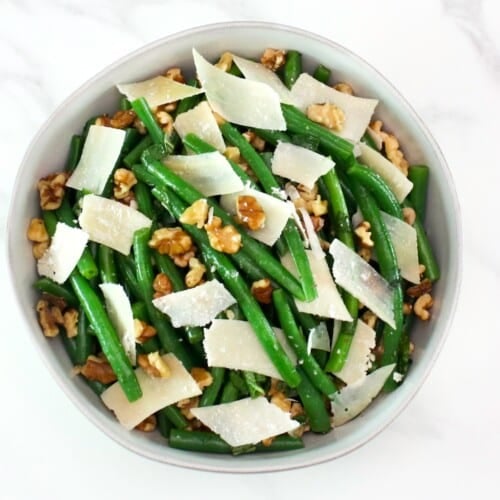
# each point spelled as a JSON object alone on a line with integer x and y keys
{"x": 350, "y": 401}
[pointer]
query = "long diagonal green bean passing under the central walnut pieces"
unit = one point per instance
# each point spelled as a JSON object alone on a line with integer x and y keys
{"x": 238, "y": 288}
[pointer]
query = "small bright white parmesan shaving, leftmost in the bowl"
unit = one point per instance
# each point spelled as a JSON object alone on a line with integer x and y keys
{"x": 64, "y": 252}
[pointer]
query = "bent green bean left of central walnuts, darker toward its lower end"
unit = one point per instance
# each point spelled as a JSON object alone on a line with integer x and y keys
{"x": 166, "y": 334}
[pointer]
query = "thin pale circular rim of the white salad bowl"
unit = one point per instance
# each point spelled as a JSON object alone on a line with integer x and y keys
{"x": 274, "y": 465}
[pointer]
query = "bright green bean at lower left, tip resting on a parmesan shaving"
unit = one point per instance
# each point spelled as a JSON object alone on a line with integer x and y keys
{"x": 108, "y": 338}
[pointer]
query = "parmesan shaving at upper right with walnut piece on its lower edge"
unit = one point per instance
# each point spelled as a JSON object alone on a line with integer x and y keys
{"x": 357, "y": 110}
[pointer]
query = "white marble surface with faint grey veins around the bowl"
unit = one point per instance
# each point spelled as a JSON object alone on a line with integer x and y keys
{"x": 444, "y": 56}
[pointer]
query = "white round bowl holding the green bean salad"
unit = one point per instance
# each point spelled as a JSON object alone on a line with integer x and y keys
{"x": 48, "y": 152}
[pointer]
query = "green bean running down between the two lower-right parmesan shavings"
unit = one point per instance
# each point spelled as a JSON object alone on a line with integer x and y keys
{"x": 297, "y": 342}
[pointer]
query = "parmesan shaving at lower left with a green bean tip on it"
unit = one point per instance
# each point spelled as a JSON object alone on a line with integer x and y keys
{"x": 156, "y": 393}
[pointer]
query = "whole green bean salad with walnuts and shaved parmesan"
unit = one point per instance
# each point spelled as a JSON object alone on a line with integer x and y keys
{"x": 236, "y": 259}
